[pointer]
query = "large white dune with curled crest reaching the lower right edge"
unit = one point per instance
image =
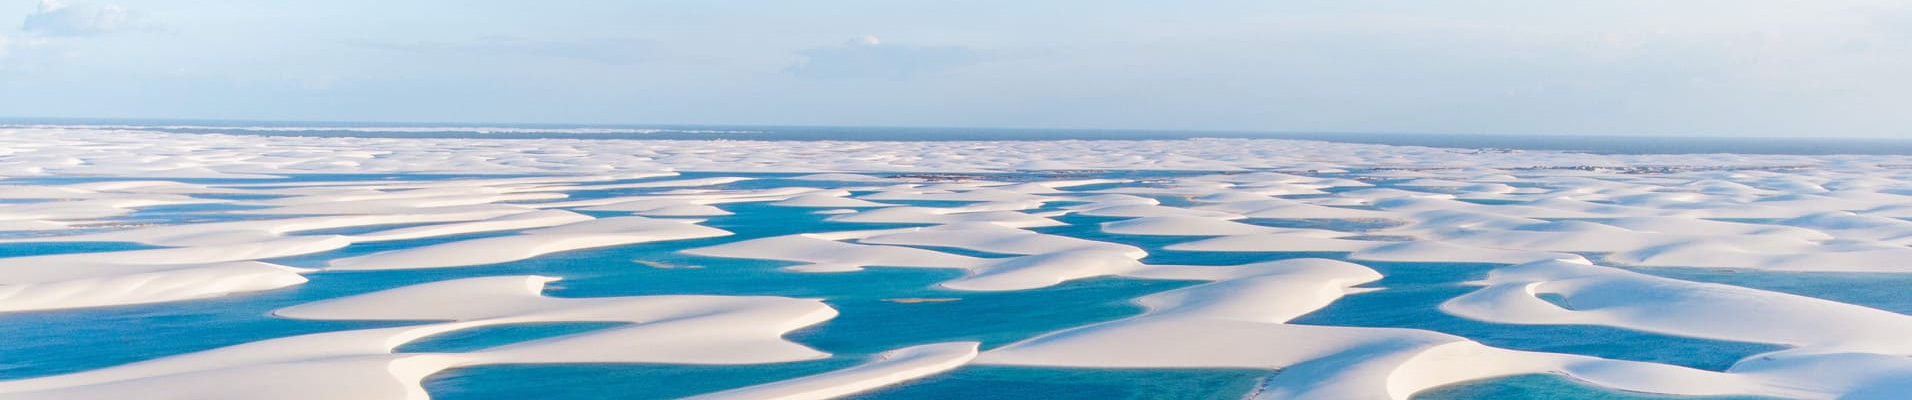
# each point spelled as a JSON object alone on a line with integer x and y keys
{"x": 1846, "y": 363}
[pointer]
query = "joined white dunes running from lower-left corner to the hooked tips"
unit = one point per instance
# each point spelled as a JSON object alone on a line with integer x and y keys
{"x": 360, "y": 365}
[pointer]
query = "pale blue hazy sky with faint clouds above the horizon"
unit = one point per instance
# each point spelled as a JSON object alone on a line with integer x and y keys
{"x": 1636, "y": 68}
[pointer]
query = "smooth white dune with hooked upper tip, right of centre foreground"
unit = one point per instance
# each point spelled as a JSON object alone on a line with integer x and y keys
{"x": 1238, "y": 322}
